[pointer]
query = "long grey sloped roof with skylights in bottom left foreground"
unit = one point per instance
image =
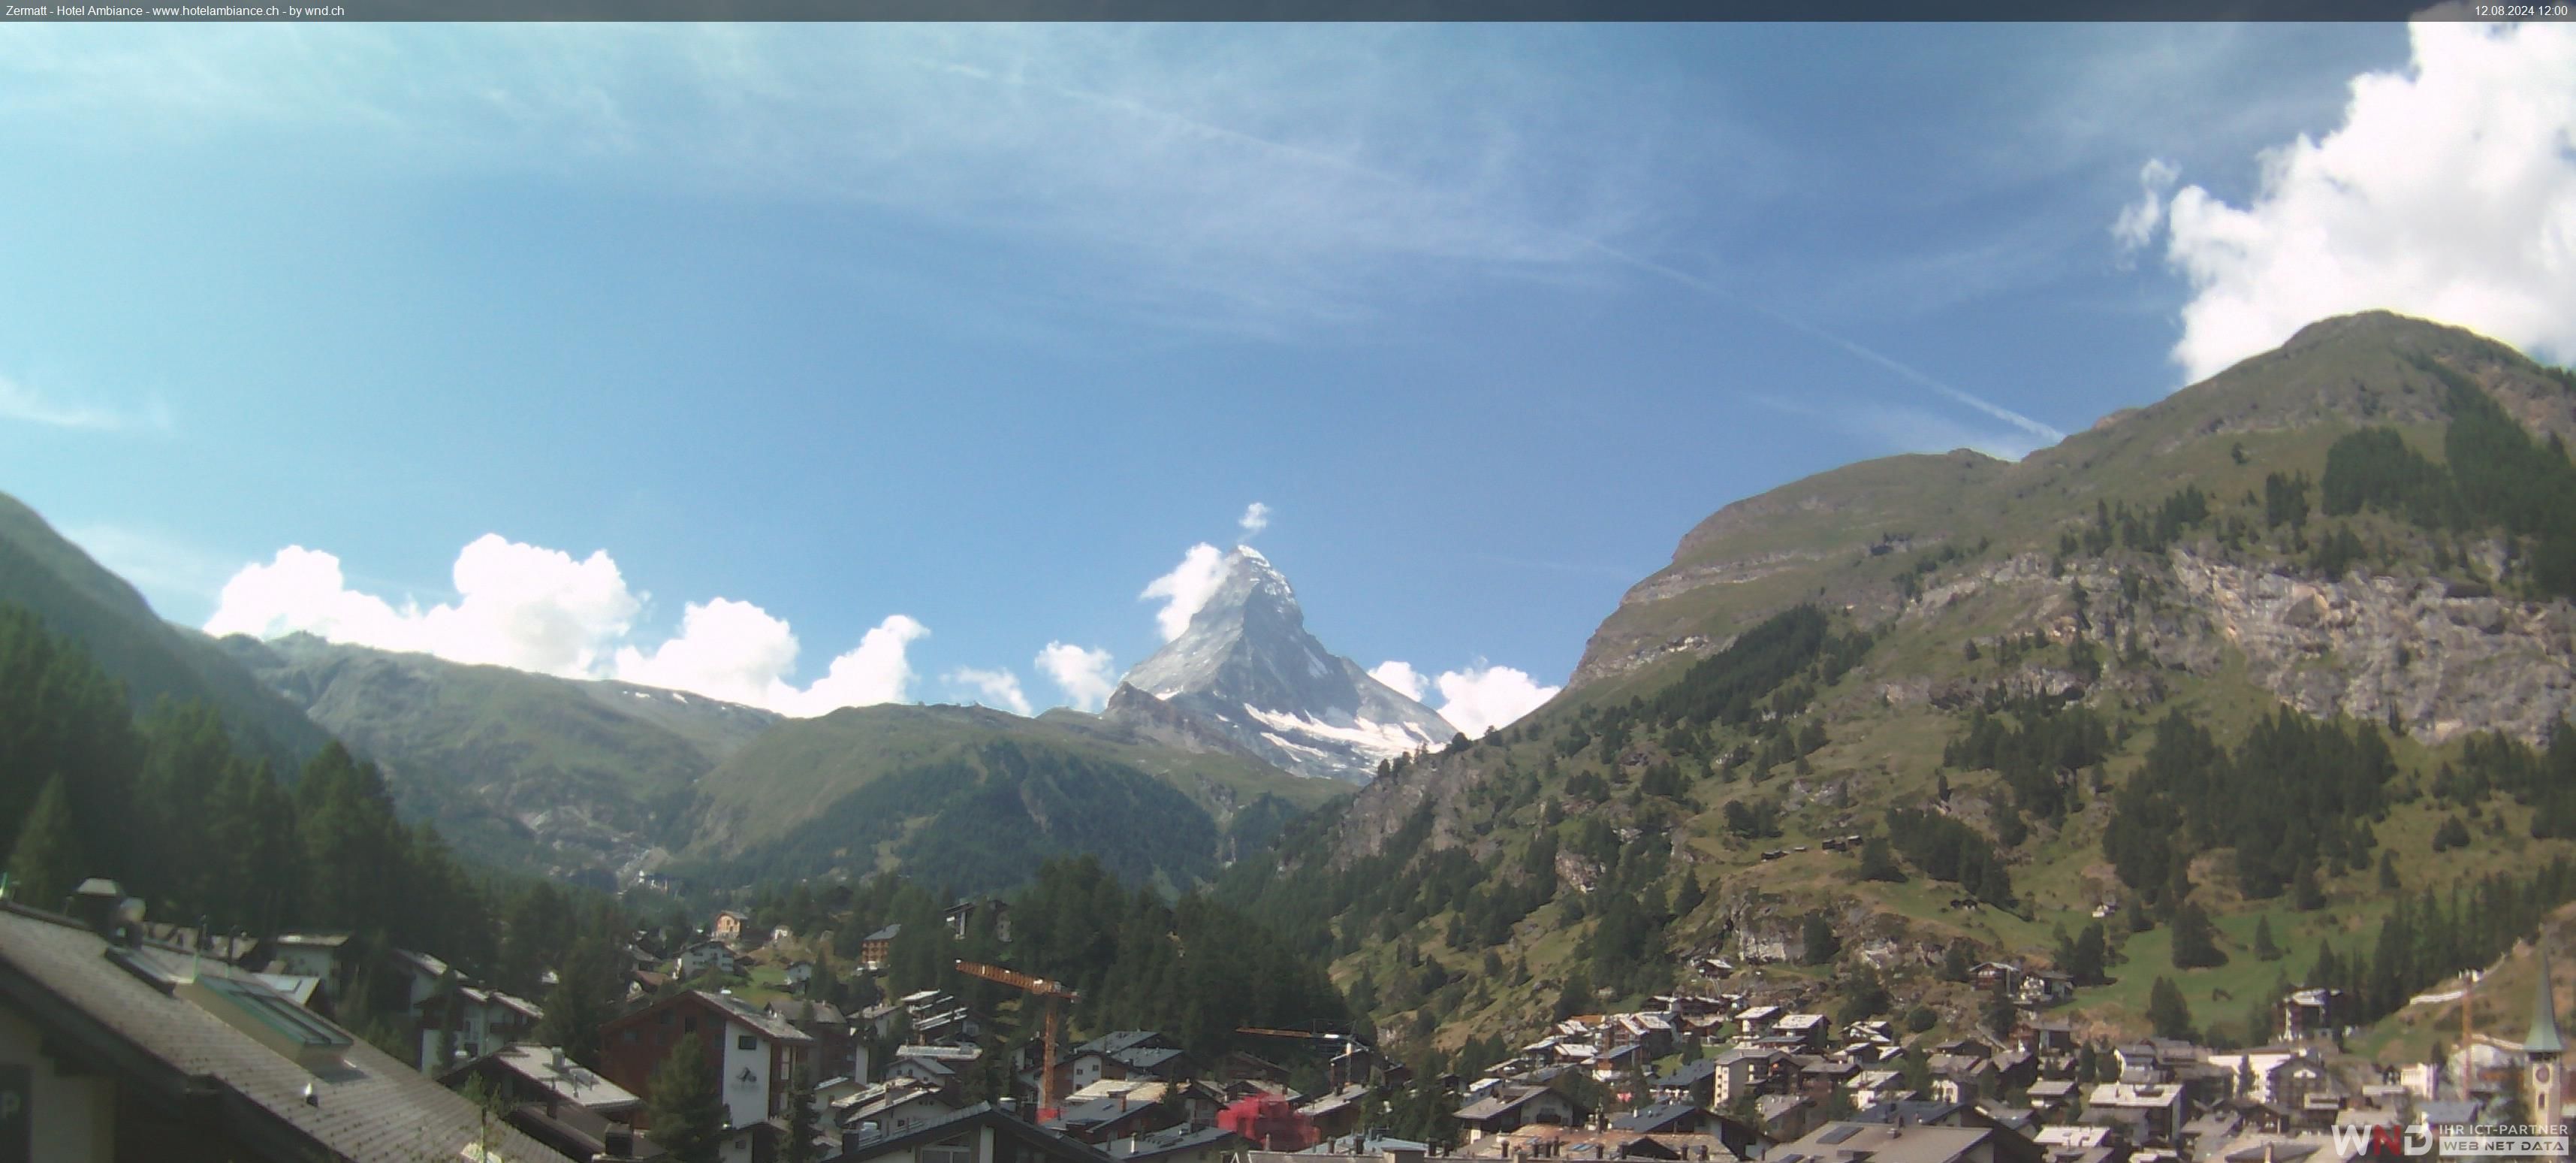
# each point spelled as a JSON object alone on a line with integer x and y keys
{"x": 61, "y": 979}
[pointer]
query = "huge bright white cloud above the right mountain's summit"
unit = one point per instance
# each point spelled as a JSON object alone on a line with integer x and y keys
{"x": 2448, "y": 192}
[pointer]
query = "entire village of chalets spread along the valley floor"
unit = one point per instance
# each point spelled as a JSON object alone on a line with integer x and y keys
{"x": 1730, "y": 1074}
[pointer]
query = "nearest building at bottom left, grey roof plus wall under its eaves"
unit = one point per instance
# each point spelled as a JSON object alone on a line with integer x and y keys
{"x": 115, "y": 1051}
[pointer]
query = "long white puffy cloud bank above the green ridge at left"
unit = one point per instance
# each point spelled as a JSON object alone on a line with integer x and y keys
{"x": 547, "y": 612}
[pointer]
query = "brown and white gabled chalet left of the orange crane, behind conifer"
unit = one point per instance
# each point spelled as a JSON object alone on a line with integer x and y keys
{"x": 748, "y": 1051}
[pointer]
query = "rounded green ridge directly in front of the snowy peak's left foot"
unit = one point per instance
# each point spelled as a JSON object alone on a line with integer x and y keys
{"x": 975, "y": 798}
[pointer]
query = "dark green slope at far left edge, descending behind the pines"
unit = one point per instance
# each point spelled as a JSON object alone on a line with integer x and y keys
{"x": 81, "y": 600}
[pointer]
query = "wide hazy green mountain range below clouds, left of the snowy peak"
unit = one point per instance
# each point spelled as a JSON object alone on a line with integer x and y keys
{"x": 591, "y": 775}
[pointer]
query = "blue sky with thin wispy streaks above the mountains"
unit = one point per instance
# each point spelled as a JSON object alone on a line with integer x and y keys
{"x": 988, "y": 326}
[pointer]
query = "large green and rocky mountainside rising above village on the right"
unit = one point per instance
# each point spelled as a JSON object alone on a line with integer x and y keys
{"x": 2039, "y": 690}
